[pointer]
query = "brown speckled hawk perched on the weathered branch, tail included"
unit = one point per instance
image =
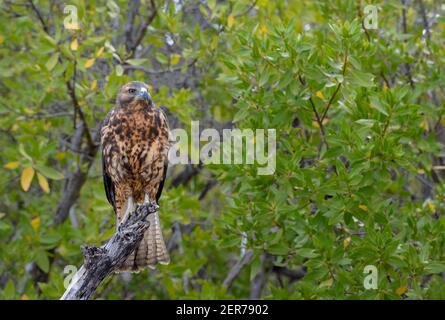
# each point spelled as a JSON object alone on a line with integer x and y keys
{"x": 135, "y": 143}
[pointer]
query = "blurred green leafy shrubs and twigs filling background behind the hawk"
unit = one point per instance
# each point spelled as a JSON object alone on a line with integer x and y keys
{"x": 360, "y": 156}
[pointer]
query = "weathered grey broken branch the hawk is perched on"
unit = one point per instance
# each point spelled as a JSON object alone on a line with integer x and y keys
{"x": 102, "y": 261}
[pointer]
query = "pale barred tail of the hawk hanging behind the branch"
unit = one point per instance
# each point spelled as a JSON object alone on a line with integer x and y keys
{"x": 151, "y": 250}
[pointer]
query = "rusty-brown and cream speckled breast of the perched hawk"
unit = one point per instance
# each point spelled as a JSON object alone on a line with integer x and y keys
{"x": 136, "y": 148}
